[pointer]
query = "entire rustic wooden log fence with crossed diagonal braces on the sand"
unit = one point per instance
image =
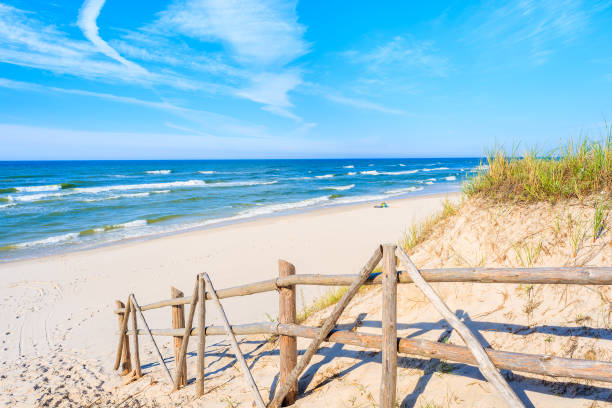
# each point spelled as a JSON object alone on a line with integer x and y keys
{"x": 488, "y": 360}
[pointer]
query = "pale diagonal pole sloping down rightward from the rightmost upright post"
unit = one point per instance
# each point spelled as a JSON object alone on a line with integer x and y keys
{"x": 487, "y": 368}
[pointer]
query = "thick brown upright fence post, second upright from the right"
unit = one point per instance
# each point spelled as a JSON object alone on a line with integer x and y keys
{"x": 287, "y": 344}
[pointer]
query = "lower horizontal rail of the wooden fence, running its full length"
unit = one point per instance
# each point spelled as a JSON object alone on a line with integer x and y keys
{"x": 540, "y": 364}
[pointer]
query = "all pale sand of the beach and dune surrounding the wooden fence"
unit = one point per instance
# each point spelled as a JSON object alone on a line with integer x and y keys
{"x": 61, "y": 329}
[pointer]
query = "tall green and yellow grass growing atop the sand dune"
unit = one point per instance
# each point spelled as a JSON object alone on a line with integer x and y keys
{"x": 575, "y": 170}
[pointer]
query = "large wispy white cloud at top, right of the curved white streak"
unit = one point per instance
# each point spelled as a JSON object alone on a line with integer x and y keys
{"x": 260, "y": 38}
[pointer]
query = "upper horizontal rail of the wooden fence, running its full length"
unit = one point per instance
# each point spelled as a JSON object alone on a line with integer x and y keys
{"x": 560, "y": 275}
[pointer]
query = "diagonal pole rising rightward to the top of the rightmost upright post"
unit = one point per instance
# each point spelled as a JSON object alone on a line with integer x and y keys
{"x": 328, "y": 325}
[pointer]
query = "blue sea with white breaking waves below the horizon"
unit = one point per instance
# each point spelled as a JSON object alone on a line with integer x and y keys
{"x": 46, "y": 207}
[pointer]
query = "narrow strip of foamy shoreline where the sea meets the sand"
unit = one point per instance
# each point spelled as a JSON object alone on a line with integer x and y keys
{"x": 223, "y": 224}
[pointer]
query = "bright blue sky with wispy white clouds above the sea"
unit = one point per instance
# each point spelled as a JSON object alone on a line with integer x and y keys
{"x": 265, "y": 79}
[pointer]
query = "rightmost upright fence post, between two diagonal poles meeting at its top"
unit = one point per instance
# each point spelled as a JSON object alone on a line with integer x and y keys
{"x": 388, "y": 379}
